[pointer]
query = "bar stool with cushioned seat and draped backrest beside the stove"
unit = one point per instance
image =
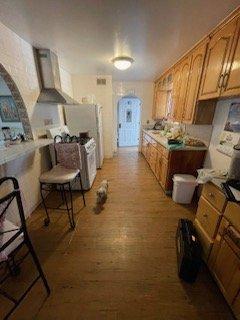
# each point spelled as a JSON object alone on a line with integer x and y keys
{"x": 62, "y": 176}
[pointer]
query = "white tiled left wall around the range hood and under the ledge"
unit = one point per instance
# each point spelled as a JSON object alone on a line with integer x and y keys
{"x": 16, "y": 55}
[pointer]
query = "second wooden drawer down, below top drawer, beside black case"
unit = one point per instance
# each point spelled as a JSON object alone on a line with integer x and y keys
{"x": 208, "y": 217}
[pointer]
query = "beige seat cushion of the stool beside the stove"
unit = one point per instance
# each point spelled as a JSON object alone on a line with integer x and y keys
{"x": 59, "y": 174}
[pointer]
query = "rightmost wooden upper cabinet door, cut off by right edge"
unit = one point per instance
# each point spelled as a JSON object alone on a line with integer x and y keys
{"x": 231, "y": 80}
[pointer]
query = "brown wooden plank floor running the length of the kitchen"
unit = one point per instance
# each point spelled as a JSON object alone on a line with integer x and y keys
{"x": 121, "y": 263}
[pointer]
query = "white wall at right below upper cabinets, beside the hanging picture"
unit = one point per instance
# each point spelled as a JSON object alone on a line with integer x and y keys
{"x": 216, "y": 159}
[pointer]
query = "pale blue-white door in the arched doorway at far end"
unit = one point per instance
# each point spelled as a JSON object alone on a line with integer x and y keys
{"x": 129, "y": 120}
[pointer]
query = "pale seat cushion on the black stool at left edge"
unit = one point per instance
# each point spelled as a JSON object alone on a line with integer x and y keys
{"x": 8, "y": 226}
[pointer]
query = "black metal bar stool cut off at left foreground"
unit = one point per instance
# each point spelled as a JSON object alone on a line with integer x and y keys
{"x": 12, "y": 239}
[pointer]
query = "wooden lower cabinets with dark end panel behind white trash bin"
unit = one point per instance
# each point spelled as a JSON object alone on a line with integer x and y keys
{"x": 165, "y": 163}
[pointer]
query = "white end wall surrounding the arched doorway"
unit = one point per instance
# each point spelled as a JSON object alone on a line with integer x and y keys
{"x": 143, "y": 90}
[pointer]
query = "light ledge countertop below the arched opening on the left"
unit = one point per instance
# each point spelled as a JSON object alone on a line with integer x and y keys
{"x": 15, "y": 151}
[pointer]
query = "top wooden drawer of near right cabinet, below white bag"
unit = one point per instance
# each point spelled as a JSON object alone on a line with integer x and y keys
{"x": 214, "y": 196}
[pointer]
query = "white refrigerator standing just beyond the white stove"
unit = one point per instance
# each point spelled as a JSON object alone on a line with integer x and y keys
{"x": 87, "y": 117}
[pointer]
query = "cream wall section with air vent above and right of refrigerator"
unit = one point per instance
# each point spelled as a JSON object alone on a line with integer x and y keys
{"x": 86, "y": 86}
